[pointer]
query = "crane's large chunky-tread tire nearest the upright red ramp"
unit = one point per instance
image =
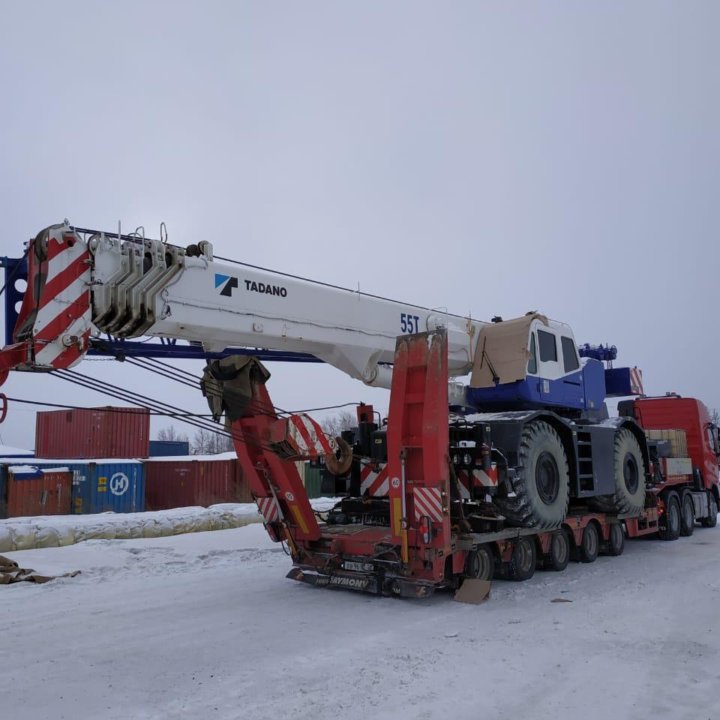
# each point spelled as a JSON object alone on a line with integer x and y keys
{"x": 541, "y": 485}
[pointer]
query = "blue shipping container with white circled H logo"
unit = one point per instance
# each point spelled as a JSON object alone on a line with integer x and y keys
{"x": 103, "y": 485}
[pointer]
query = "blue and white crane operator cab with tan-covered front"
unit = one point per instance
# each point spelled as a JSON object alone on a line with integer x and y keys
{"x": 532, "y": 362}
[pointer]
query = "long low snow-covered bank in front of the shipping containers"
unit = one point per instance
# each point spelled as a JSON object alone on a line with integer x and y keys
{"x": 59, "y": 530}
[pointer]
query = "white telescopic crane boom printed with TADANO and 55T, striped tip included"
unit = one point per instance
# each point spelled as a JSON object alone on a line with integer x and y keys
{"x": 132, "y": 286}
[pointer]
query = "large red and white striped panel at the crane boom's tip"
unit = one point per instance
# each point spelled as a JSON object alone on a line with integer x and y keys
{"x": 62, "y": 327}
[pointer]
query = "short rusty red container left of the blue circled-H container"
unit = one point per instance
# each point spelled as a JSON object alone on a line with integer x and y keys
{"x": 32, "y": 491}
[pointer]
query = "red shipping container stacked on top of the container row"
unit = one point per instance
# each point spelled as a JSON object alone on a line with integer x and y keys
{"x": 93, "y": 433}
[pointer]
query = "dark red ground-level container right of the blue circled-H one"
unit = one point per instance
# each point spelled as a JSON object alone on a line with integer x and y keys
{"x": 204, "y": 480}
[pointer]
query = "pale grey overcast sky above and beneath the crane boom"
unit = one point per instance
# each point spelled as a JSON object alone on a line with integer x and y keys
{"x": 488, "y": 157}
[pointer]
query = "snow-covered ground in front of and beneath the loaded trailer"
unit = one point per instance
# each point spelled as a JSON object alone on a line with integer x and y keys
{"x": 205, "y": 625}
